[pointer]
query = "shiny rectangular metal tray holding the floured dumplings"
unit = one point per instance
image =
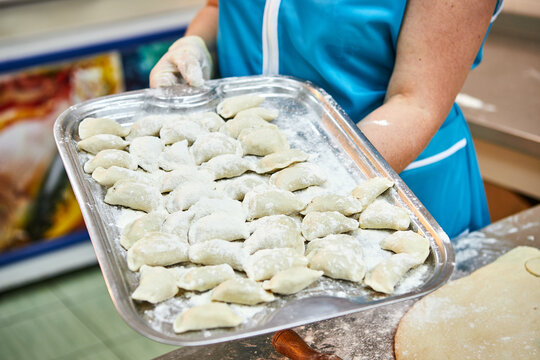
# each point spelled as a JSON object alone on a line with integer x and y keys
{"x": 313, "y": 122}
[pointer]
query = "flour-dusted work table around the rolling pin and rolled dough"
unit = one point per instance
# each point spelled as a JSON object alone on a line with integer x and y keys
{"x": 370, "y": 334}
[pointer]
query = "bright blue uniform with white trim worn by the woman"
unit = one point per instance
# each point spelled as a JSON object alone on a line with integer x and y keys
{"x": 348, "y": 47}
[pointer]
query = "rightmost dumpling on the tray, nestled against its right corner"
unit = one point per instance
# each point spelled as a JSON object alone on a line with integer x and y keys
{"x": 407, "y": 242}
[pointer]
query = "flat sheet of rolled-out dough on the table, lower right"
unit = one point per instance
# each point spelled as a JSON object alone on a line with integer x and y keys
{"x": 494, "y": 313}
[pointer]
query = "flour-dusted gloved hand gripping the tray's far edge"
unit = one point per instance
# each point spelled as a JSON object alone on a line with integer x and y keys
{"x": 187, "y": 59}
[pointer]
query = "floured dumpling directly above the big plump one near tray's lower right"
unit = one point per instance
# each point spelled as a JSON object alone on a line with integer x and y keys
{"x": 319, "y": 224}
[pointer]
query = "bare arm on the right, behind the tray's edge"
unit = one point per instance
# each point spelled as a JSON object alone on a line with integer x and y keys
{"x": 435, "y": 51}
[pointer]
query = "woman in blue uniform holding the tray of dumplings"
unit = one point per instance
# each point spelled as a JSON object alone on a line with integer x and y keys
{"x": 395, "y": 66}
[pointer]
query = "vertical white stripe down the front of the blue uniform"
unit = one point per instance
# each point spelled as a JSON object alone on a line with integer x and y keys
{"x": 270, "y": 38}
